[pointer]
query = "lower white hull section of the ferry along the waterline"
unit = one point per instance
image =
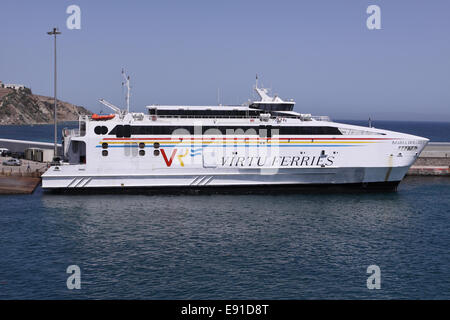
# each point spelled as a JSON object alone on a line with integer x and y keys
{"x": 301, "y": 178}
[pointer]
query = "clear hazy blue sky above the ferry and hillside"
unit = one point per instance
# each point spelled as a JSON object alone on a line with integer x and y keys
{"x": 318, "y": 52}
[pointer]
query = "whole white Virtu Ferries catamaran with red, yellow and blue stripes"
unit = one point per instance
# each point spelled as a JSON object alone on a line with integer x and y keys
{"x": 261, "y": 145}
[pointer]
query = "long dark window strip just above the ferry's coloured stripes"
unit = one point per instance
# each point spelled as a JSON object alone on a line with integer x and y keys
{"x": 123, "y": 131}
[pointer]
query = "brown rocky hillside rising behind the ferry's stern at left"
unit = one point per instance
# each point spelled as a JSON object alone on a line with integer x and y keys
{"x": 23, "y": 107}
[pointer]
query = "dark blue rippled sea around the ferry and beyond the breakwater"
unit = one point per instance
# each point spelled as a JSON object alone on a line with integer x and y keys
{"x": 297, "y": 246}
